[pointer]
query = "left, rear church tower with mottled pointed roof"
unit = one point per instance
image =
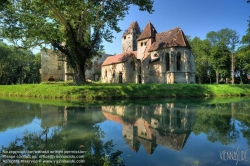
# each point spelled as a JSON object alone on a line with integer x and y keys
{"x": 130, "y": 36}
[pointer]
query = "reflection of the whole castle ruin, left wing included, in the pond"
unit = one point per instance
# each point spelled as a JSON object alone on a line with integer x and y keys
{"x": 167, "y": 124}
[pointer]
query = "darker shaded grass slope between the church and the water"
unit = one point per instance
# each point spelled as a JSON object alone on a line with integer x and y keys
{"x": 140, "y": 91}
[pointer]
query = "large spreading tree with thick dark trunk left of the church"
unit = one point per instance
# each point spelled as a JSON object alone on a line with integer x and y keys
{"x": 76, "y": 28}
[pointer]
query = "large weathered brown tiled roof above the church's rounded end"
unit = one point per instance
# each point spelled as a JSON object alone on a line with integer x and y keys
{"x": 172, "y": 38}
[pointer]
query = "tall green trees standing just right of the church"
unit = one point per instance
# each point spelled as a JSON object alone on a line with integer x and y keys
{"x": 212, "y": 55}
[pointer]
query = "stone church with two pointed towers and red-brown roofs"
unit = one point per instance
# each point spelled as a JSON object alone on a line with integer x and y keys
{"x": 151, "y": 57}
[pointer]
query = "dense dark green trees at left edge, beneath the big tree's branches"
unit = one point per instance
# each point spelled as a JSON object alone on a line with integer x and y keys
{"x": 18, "y": 66}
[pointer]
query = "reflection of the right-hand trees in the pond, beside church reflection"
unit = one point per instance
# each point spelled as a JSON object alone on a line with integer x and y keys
{"x": 218, "y": 122}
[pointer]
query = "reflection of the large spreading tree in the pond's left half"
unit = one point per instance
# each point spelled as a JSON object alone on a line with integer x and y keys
{"x": 68, "y": 138}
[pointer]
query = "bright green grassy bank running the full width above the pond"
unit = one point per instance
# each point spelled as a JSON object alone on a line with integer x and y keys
{"x": 122, "y": 91}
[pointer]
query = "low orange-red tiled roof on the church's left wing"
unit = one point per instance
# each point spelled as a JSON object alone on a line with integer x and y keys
{"x": 118, "y": 58}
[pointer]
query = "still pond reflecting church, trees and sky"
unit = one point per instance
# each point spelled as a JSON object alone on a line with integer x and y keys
{"x": 147, "y": 132}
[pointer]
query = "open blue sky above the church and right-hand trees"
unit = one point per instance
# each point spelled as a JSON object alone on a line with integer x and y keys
{"x": 194, "y": 17}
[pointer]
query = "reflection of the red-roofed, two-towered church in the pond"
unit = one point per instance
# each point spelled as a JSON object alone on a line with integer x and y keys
{"x": 167, "y": 125}
